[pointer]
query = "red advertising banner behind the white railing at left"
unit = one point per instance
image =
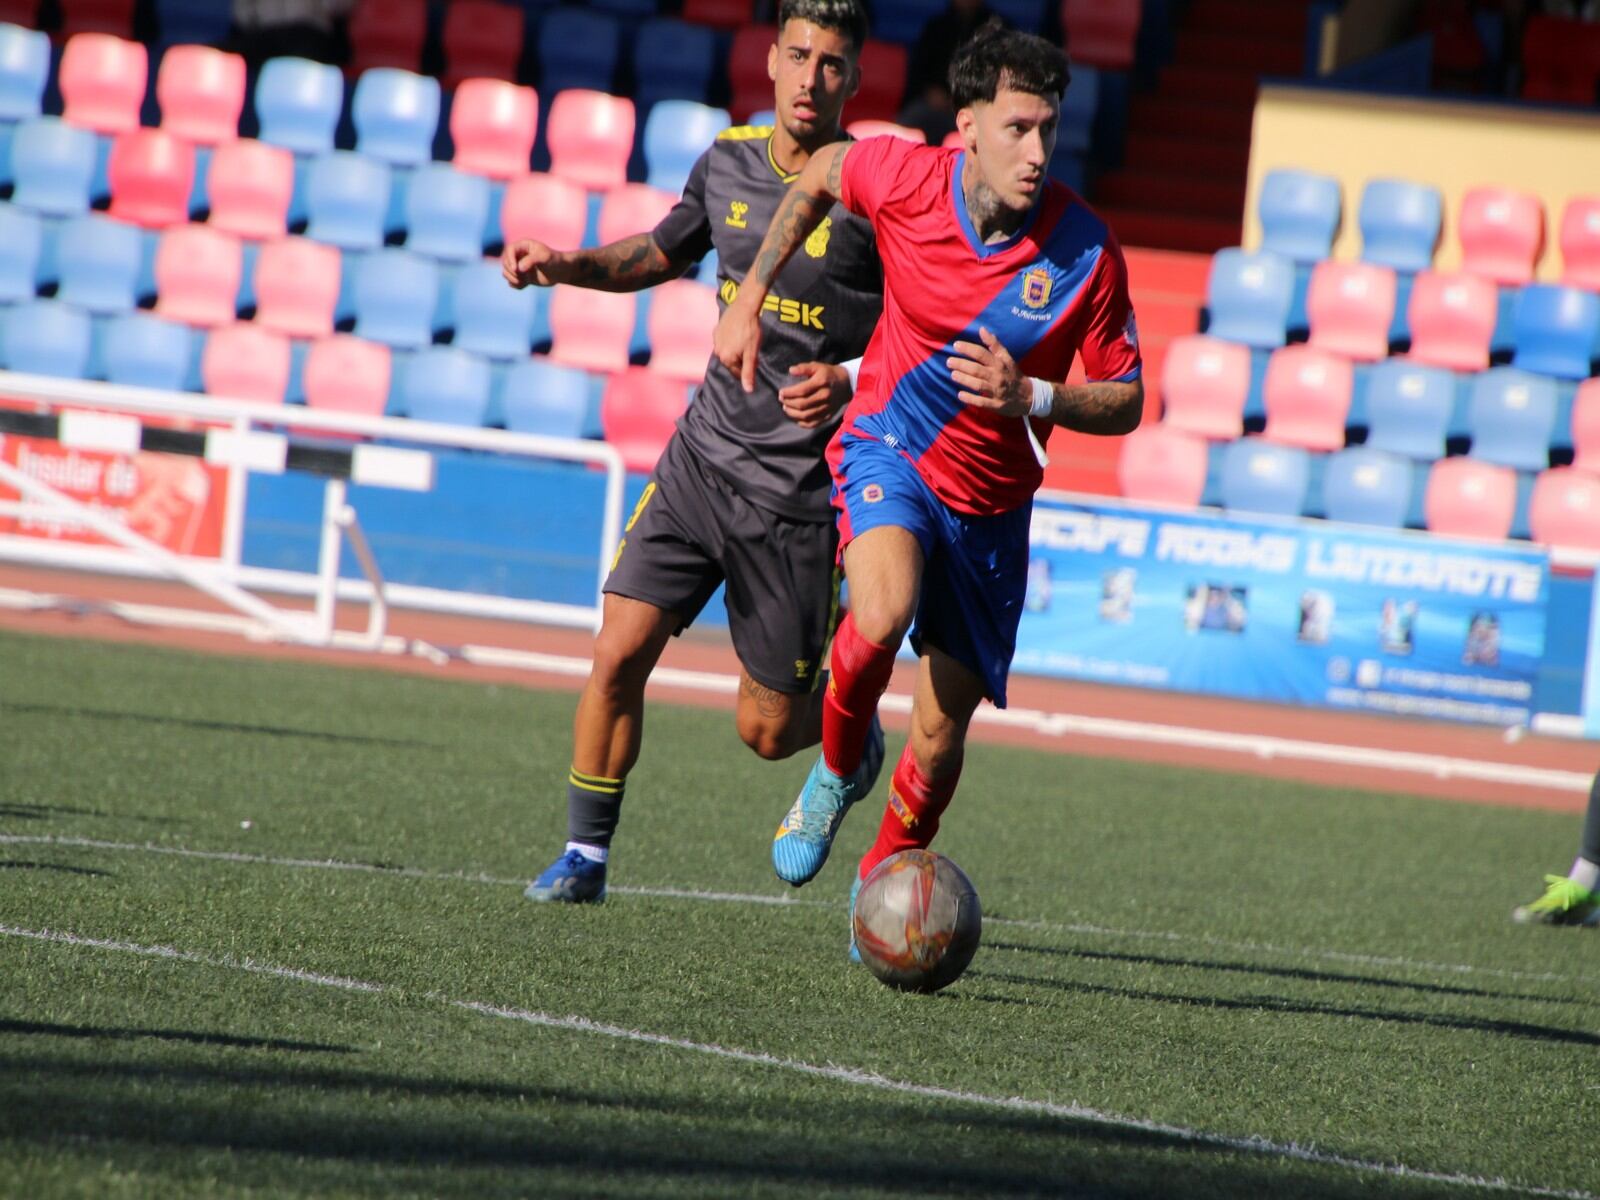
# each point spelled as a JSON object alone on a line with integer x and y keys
{"x": 172, "y": 500}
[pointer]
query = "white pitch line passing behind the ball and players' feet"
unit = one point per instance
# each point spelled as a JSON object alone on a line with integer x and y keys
{"x": 794, "y": 903}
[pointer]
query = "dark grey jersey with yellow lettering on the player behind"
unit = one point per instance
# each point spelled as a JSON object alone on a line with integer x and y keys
{"x": 823, "y": 308}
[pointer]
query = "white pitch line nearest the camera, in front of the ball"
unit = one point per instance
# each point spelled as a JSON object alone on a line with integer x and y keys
{"x": 855, "y": 1078}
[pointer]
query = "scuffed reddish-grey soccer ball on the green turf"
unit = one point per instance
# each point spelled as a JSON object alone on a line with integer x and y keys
{"x": 918, "y": 921}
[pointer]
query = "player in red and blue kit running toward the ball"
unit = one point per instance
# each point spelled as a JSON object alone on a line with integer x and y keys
{"x": 994, "y": 278}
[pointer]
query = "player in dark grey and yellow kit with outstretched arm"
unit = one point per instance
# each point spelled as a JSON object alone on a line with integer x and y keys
{"x": 742, "y": 492}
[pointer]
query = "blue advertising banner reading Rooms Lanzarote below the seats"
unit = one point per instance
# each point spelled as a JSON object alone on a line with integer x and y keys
{"x": 1302, "y": 612}
